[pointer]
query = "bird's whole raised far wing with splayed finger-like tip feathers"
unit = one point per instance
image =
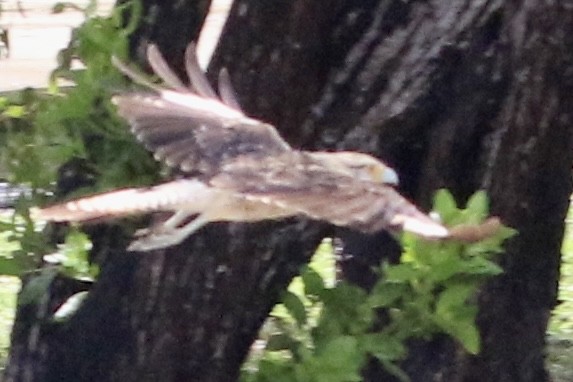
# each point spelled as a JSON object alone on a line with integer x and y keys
{"x": 190, "y": 127}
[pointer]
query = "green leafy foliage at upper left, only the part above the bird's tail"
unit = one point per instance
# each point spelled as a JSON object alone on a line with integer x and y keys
{"x": 77, "y": 122}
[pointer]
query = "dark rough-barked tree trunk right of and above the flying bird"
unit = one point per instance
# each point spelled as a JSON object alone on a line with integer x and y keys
{"x": 463, "y": 95}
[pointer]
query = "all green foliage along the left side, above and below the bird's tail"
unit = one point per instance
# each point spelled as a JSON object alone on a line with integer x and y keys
{"x": 43, "y": 131}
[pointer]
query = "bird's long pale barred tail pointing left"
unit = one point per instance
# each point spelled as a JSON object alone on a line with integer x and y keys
{"x": 192, "y": 195}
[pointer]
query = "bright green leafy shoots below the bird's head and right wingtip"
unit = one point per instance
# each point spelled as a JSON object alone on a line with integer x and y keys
{"x": 431, "y": 291}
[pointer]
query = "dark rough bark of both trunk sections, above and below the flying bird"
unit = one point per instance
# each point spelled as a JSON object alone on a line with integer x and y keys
{"x": 462, "y": 94}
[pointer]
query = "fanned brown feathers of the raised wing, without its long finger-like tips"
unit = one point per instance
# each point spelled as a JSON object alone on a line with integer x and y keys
{"x": 195, "y": 142}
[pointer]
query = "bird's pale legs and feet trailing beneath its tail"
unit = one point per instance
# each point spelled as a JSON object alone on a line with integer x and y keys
{"x": 168, "y": 236}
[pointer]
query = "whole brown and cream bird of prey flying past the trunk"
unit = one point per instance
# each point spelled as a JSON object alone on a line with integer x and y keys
{"x": 237, "y": 169}
